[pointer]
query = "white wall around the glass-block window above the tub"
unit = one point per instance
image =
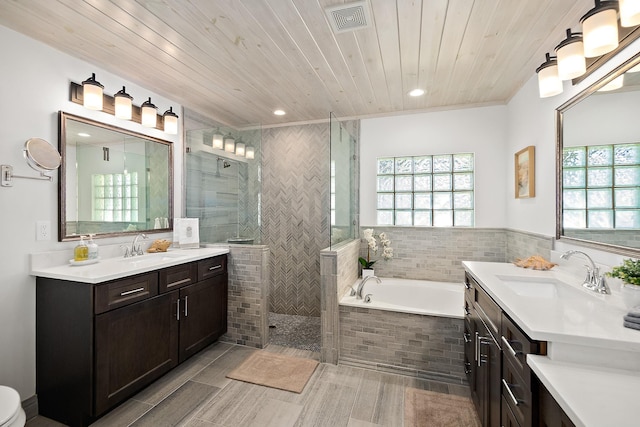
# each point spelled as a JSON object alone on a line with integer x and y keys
{"x": 477, "y": 130}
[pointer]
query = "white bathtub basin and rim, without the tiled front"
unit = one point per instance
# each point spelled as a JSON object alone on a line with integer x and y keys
{"x": 424, "y": 297}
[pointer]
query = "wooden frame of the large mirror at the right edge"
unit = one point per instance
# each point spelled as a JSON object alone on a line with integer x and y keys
{"x": 622, "y": 250}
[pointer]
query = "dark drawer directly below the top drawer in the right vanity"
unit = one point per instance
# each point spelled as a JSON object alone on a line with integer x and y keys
{"x": 516, "y": 390}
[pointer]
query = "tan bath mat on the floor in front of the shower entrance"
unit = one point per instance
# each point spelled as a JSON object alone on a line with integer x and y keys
{"x": 275, "y": 370}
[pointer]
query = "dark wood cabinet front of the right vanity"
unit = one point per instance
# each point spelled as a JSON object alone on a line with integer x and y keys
{"x": 495, "y": 357}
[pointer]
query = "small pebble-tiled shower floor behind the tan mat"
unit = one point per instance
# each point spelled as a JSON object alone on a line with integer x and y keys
{"x": 299, "y": 332}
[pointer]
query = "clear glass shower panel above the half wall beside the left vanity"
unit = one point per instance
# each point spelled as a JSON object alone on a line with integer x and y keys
{"x": 223, "y": 189}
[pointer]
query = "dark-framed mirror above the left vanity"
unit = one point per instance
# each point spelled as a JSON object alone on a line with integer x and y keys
{"x": 112, "y": 181}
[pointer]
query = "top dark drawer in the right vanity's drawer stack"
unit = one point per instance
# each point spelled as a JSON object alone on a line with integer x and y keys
{"x": 516, "y": 345}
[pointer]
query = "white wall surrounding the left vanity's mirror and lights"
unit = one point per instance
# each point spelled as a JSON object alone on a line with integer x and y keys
{"x": 34, "y": 85}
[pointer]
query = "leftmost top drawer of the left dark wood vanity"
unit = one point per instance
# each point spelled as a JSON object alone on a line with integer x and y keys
{"x": 123, "y": 292}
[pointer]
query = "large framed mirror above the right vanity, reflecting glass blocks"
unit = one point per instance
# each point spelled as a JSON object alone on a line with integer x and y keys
{"x": 598, "y": 164}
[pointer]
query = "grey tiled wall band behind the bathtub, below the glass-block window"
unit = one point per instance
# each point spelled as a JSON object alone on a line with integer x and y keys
{"x": 432, "y": 253}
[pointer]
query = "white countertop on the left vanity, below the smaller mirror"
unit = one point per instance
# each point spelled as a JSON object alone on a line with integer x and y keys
{"x": 118, "y": 267}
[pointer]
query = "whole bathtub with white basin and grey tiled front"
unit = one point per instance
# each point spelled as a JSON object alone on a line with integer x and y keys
{"x": 410, "y": 327}
